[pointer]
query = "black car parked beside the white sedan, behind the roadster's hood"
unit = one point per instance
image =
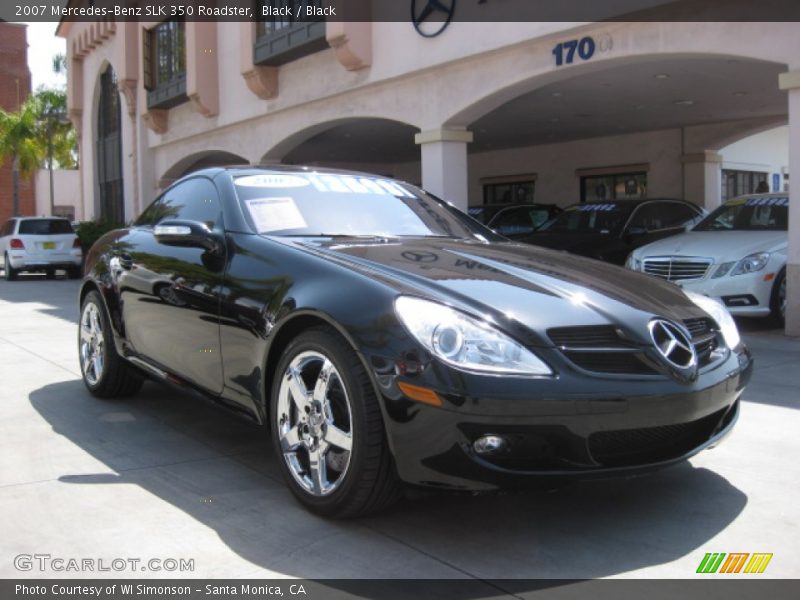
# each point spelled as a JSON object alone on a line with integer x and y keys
{"x": 608, "y": 231}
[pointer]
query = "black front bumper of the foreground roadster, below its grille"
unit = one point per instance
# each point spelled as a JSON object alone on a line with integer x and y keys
{"x": 582, "y": 436}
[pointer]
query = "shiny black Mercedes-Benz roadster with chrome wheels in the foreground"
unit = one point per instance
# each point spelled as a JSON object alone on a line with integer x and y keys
{"x": 388, "y": 338}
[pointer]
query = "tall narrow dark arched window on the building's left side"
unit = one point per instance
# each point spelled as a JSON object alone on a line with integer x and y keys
{"x": 111, "y": 198}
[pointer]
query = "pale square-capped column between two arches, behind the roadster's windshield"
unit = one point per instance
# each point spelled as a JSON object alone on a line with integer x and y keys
{"x": 444, "y": 164}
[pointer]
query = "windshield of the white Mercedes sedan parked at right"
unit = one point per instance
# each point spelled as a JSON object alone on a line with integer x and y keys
{"x": 748, "y": 214}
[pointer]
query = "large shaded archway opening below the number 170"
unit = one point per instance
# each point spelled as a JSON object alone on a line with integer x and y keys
{"x": 637, "y": 126}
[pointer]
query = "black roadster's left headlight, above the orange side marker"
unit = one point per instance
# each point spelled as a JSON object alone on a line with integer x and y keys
{"x": 465, "y": 342}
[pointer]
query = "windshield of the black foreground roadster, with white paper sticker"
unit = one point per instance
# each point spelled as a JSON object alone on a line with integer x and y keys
{"x": 317, "y": 204}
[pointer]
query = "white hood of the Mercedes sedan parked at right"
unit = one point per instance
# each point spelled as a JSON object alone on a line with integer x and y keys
{"x": 723, "y": 246}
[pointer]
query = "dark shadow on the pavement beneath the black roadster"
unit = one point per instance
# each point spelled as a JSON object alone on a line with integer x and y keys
{"x": 222, "y": 472}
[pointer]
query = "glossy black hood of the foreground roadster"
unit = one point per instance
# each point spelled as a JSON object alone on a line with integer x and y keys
{"x": 514, "y": 283}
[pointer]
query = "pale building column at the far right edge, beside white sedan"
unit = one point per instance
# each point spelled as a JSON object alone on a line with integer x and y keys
{"x": 791, "y": 83}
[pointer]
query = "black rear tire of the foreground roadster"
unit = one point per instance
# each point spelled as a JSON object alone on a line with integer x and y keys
{"x": 117, "y": 378}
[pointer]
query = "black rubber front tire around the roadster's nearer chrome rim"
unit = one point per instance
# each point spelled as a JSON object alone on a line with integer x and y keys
{"x": 369, "y": 483}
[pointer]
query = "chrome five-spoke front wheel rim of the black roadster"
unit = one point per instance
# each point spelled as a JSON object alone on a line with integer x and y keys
{"x": 315, "y": 423}
